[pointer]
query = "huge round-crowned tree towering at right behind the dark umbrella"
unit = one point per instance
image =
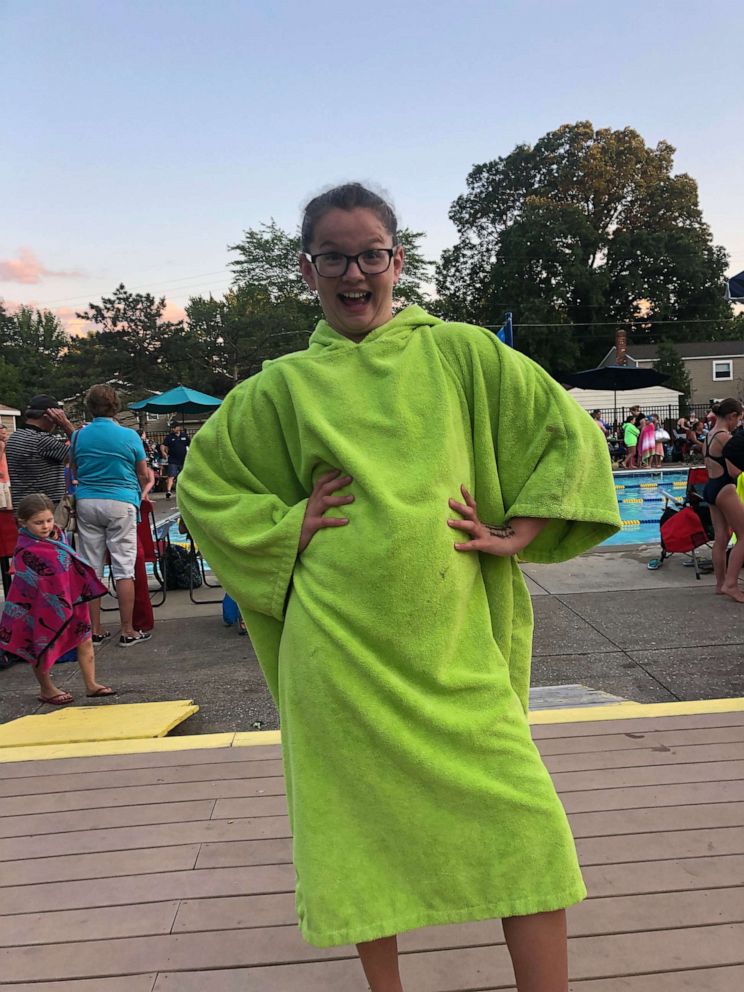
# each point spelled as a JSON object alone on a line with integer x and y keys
{"x": 584, "y": 228}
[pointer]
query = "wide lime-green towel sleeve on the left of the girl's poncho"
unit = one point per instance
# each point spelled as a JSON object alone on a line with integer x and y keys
{"x": 242, "y": 502}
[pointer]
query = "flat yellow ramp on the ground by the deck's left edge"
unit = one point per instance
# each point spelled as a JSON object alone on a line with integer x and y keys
{"x": 77, "y": 724}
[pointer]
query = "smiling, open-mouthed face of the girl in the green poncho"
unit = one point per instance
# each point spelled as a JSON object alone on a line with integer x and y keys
{"x": 354, "y": 304}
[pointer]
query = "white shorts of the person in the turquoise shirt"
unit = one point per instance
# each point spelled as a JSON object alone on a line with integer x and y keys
{"x": 108, "y": 524}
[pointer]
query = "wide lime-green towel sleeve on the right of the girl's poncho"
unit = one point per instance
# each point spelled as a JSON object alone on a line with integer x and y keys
{"x": 549, "y": 460}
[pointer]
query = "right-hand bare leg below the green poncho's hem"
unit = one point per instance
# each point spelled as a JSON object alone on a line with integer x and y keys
{"x": 538, "y": 946}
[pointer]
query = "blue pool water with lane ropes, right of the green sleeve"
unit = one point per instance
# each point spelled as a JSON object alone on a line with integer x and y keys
{"x": 641, "y": 503}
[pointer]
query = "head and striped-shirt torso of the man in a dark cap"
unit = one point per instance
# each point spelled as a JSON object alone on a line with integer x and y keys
{"x": 36, "y": 457}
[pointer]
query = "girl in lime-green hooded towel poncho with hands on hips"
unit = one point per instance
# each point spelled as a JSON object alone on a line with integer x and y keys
{"x": 341, "y": 495}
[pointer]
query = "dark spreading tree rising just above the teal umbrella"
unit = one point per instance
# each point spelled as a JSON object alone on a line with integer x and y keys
{"x": 131, "y": 337}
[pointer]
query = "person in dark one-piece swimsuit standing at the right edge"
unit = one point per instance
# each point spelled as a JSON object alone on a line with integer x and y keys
{"x": 726, "y": 509}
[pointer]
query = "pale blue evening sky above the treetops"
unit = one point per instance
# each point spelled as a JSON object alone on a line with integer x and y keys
{"x": 141, "y": 138}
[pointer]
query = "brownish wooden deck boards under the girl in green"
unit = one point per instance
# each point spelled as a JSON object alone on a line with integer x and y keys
{"x": 169, "y": 872}
